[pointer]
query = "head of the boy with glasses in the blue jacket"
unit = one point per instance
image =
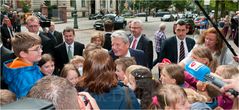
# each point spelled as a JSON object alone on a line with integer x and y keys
{"x": 27, "y": 45}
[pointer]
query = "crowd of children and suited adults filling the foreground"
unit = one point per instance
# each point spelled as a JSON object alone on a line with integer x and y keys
{"x": 113, "y": 71}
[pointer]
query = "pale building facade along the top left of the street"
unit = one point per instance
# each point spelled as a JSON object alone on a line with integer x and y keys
{"x": 83, "y": 7}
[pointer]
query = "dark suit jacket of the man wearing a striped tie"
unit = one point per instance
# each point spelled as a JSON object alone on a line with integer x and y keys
{"x": 169, "y": 48}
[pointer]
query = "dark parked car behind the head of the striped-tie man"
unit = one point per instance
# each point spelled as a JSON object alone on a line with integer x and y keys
{"x": 190, "y": 26}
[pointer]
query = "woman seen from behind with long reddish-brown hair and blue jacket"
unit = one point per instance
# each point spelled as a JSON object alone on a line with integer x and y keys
{"x": 100, "y": 81}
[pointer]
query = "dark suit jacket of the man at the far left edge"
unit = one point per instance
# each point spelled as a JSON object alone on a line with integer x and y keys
{"x": 5, "y": 36}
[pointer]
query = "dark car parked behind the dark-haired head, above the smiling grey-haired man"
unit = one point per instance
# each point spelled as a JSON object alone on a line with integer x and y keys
{"x": 119, "y": 22}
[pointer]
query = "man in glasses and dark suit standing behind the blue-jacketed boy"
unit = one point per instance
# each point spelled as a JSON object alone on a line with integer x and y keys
{"x": 33, "y": 26}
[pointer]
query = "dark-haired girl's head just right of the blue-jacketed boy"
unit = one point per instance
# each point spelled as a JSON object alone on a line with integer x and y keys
{"x": 47, "y": 64}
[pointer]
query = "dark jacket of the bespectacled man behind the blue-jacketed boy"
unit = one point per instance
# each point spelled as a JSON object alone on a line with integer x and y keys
{"x": 47, "y": 43}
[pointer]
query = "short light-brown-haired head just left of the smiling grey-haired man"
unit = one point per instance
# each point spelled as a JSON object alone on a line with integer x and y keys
{"x": 97, "y": 38}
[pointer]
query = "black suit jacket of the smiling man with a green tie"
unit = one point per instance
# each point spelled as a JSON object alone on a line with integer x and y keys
{"x": 60, "y": 53}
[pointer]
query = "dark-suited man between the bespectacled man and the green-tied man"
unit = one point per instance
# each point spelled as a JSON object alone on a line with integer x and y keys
{"x": 55, "y": 35}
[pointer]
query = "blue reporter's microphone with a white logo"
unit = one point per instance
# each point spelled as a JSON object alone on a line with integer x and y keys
{"x": 202, "y": 72}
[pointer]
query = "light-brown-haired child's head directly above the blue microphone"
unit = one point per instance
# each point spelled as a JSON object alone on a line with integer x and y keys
{"x": 204, "y": 55}
